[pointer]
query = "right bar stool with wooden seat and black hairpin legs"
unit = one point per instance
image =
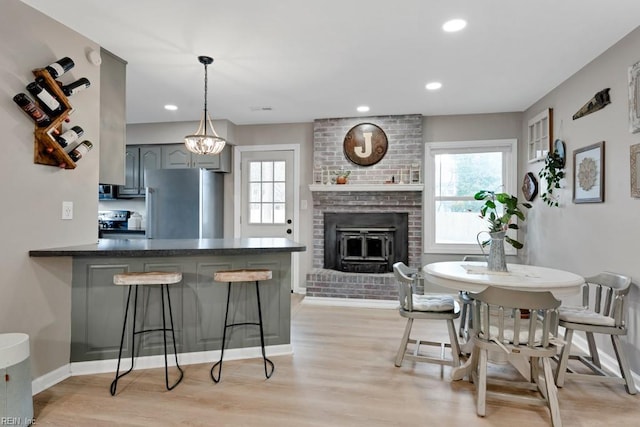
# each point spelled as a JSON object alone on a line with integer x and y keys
{"x": 237, "y": 276}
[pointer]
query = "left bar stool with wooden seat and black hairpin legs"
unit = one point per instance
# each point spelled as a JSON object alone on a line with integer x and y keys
{"x": 135, "y": 280}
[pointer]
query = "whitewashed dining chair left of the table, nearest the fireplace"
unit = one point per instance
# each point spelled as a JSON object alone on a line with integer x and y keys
{"x": 429, "y": 307}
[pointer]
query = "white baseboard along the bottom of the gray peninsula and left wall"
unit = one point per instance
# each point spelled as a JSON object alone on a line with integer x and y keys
{"x": 148, "y": 362}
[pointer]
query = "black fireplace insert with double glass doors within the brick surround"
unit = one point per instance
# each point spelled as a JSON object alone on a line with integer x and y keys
{"x": 360, "y": 242}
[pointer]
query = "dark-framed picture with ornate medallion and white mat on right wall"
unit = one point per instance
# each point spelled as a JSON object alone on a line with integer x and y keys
{"x": 588, "y": 179}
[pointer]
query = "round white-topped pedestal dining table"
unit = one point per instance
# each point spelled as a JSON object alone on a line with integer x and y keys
{"x": 473, "y": 277}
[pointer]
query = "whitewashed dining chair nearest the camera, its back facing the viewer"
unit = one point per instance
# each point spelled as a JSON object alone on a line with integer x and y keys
{"x": 520, "y": 324}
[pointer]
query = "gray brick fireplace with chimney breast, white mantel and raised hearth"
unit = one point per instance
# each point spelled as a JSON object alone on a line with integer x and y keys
{"x": 365, "y": 195}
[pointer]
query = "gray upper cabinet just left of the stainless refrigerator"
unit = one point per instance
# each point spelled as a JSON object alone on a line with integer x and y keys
{"x": 138, "y": 159}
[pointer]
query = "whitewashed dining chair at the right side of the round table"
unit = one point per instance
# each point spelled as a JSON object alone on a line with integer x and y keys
{"x": 602, "y": 312}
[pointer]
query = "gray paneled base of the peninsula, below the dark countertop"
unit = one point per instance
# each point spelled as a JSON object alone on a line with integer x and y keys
{"x": 198, "y": 304}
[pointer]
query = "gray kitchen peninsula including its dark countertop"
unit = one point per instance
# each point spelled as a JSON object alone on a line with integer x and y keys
{"x": 97, "y": 307}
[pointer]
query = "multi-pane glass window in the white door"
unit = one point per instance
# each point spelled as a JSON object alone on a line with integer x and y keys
{"x": 267, "y": 192}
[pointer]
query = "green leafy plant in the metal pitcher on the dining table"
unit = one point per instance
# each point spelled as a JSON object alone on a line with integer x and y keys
{"x": 501, "y": 221}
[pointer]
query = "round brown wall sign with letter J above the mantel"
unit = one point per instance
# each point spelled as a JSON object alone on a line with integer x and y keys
{"x": 365, "y": 144}
